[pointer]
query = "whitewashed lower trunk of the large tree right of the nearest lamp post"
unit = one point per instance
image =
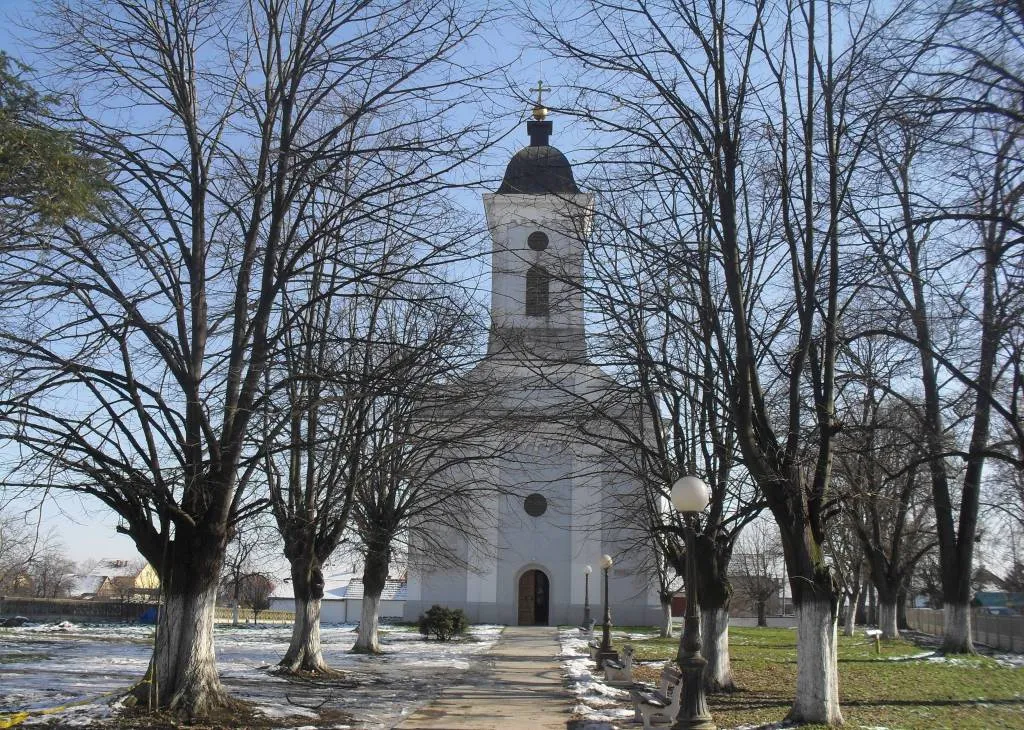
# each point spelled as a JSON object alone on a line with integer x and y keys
{"x": 818, "y": 671}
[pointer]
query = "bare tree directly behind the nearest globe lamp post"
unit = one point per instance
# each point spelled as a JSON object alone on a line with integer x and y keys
{"x": 649, "y": 299}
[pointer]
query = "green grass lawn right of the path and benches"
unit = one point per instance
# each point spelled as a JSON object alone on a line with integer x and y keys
{"x": 890, "y": 691}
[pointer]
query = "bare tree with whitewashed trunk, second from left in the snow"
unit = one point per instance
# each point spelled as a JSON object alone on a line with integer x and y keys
{"x": 330, "y": 368}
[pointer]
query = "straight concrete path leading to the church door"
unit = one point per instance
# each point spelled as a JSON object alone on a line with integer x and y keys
{"x": 518, "y": 684}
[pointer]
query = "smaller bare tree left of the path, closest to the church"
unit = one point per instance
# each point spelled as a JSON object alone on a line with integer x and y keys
{"x": 415, "y": 433}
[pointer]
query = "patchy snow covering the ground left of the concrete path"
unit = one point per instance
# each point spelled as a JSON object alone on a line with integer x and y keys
{"x": 44, "y": 667}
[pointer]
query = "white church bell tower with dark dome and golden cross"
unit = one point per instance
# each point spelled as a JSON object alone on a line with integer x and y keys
{"x": 539, "y": 222}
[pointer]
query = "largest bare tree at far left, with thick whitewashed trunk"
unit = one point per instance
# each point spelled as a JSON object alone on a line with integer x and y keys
{"x": 219, "y": 121}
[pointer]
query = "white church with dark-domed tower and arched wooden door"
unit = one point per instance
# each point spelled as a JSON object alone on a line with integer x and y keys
{"x": 559, "y": 496}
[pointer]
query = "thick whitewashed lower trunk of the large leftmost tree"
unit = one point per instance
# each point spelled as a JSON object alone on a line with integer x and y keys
{"x": 185, "y": 662}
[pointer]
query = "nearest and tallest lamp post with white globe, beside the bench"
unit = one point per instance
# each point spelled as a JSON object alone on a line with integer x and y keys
{"x": 691, "y": 496}
